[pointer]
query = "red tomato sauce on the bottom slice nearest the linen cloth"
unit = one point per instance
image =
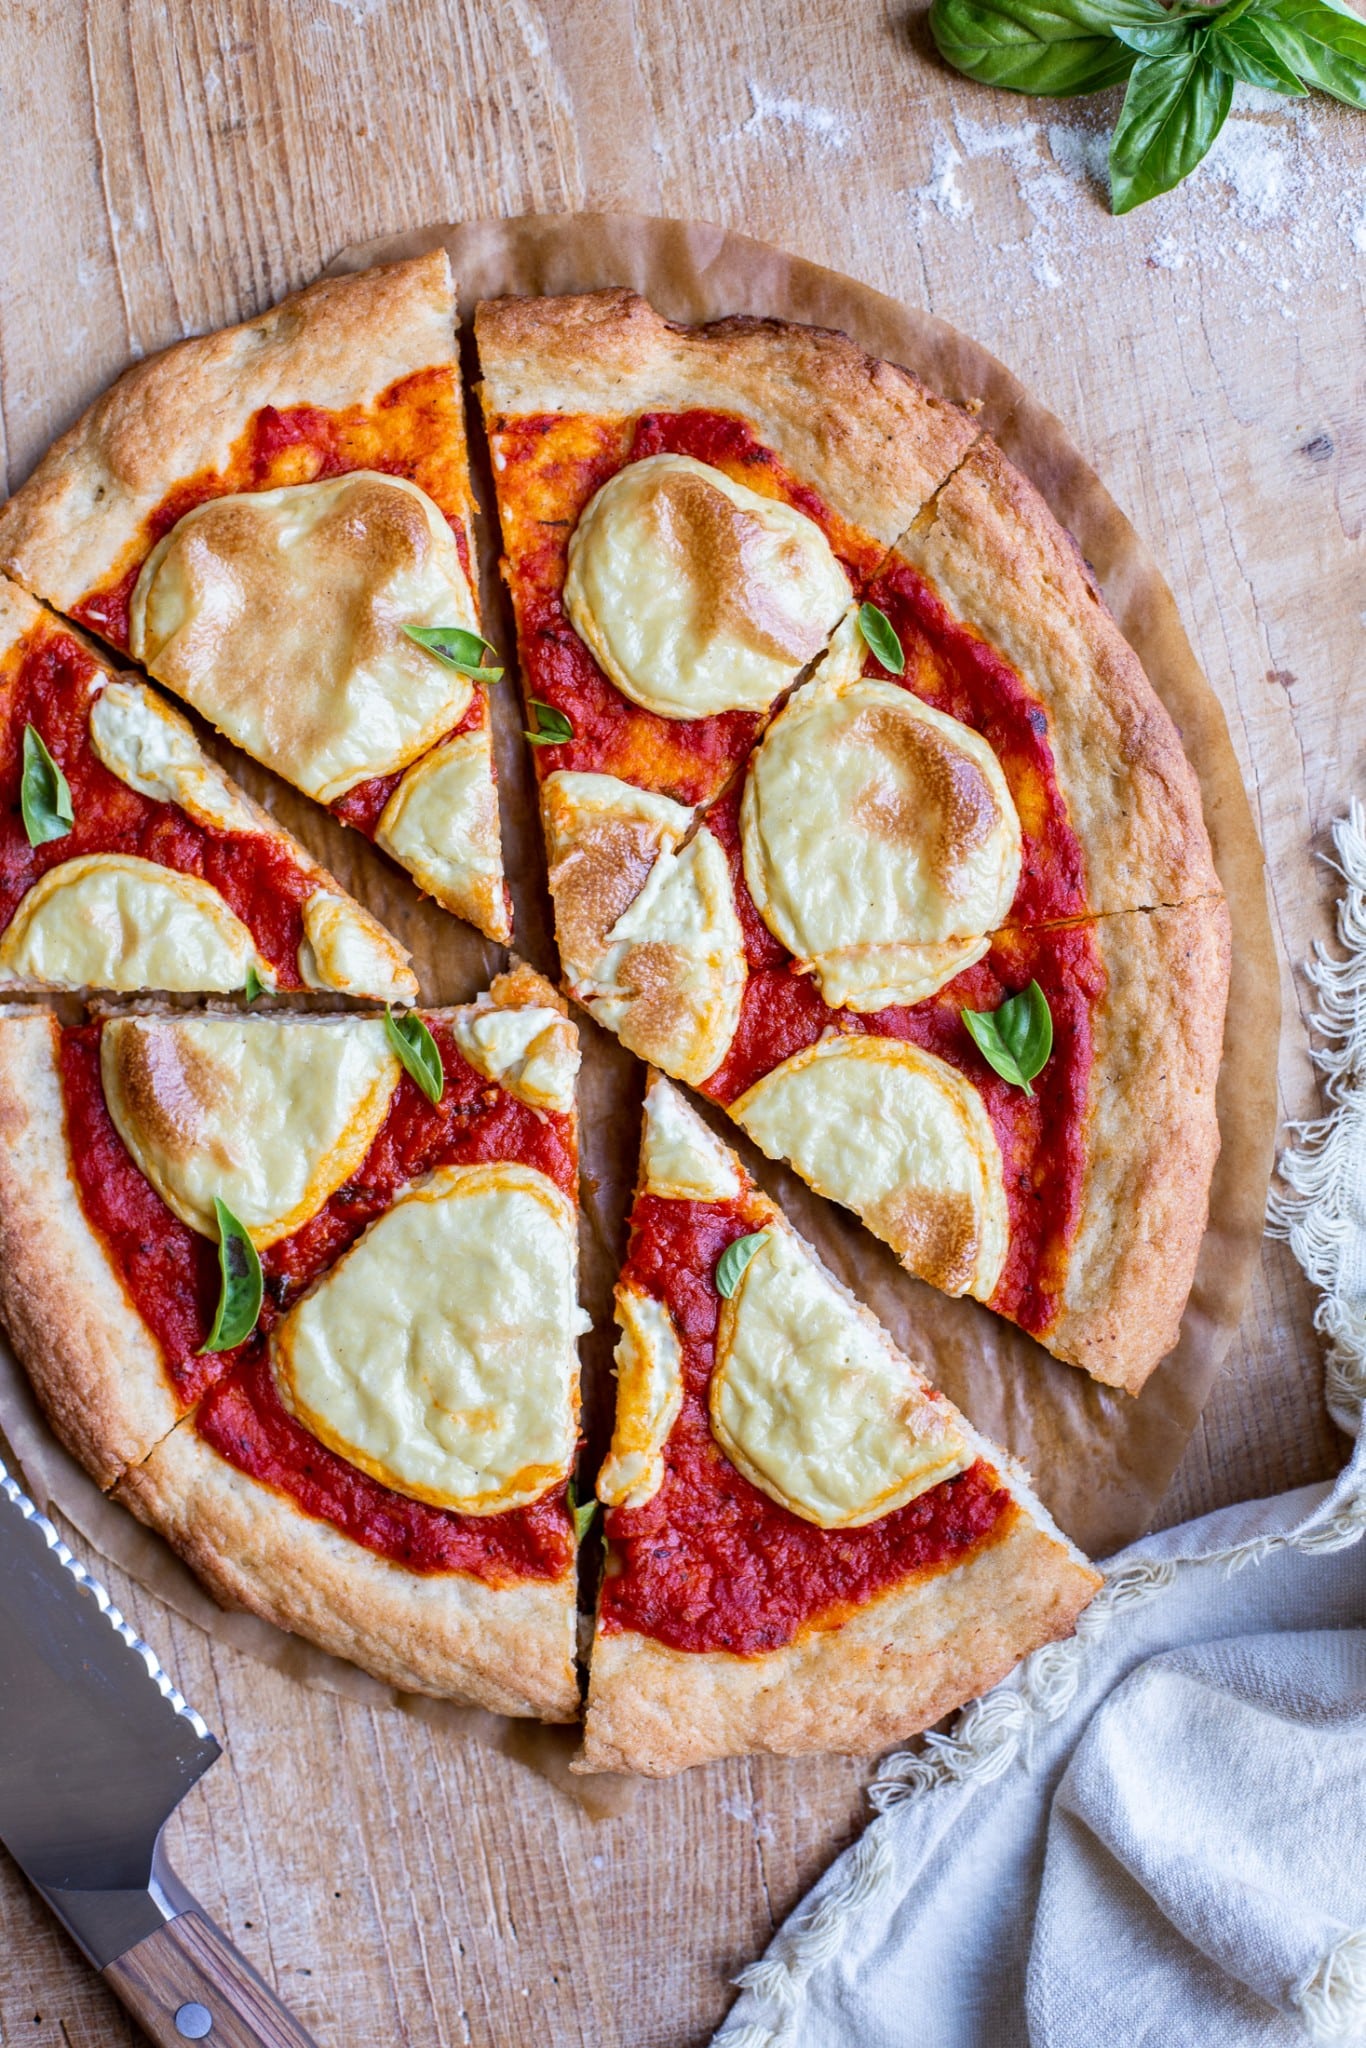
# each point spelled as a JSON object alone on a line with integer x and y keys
{"x": 712, "y": 1564}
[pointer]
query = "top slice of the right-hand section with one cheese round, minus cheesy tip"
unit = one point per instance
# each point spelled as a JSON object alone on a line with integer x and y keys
{"x": 687, "y": 515}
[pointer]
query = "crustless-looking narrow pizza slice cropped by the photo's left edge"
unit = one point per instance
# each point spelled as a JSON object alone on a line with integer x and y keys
{"x": 130, "y": 861}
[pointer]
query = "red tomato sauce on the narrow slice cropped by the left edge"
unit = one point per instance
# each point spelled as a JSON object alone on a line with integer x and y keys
{"x": 50, "y": 683}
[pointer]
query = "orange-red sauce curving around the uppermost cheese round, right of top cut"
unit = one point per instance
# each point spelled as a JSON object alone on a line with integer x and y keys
{"x": 548, "y": 470}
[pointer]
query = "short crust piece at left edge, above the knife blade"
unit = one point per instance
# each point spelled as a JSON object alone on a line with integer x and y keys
{"x": 95, "y": 1365}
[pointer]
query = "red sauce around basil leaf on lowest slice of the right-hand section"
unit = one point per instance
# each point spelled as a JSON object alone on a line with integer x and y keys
{"x": 1041, "y": 1136}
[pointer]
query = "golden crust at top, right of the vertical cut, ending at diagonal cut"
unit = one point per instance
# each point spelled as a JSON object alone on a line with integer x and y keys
{"x": 865, "y": 433}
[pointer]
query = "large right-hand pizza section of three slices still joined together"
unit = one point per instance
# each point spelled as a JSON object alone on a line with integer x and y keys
{"x": 957, "y": 802}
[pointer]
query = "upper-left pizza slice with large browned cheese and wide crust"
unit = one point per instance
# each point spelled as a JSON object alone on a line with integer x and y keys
{"x": 278, "y": 523}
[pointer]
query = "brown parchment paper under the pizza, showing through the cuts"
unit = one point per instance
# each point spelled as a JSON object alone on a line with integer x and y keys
{"x": 1101, "y": 1459}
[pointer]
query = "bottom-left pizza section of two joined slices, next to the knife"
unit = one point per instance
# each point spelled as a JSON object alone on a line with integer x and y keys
{"x": 302, "y": 1293}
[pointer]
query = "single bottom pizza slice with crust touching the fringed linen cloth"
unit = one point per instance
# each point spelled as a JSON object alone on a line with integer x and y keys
{"x": 806, "y": 1545}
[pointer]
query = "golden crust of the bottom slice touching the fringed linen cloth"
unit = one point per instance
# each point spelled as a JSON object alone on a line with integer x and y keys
{"x": 886, "y": 1674}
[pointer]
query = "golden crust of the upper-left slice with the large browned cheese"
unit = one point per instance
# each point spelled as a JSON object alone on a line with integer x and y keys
{"x": 339, "y": 343}
